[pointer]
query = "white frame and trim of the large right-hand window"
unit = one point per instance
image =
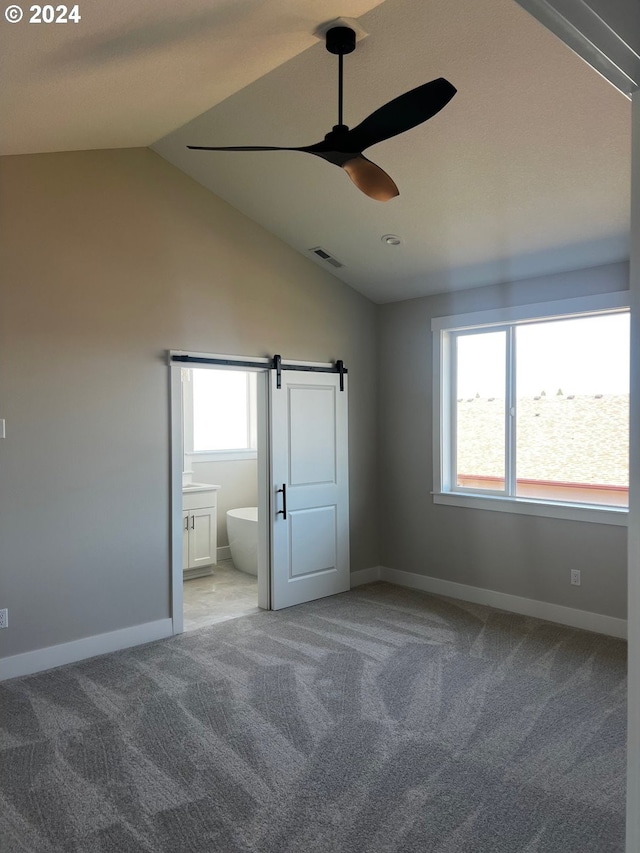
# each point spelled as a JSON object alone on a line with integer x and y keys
{"x": 445, "y": 330}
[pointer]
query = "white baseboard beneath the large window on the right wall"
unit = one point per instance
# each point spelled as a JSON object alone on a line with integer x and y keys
{"x": 502, "y": 601}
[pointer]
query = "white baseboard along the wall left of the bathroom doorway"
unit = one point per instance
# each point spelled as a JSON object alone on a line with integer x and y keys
{"x": 40, "y": 659}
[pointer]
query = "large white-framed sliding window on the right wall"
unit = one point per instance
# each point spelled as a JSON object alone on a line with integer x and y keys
{"x": 533, "y": 411}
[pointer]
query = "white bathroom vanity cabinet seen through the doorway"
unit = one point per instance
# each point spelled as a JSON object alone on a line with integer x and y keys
{"x": 199, "y": 529}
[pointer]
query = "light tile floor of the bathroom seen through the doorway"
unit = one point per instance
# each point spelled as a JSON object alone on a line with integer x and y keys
{"x": 225, "y": 594}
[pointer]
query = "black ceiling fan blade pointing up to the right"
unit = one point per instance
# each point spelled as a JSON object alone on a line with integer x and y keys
{"x": 403, "y": 113}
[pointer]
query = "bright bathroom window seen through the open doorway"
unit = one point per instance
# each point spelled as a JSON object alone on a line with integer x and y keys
{"x": 219, "y": 414}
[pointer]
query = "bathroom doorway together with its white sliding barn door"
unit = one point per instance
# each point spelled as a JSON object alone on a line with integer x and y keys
{"x": 290, "y": 423}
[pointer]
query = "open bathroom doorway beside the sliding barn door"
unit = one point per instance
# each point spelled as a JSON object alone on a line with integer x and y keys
{"x": 221, "y": 452}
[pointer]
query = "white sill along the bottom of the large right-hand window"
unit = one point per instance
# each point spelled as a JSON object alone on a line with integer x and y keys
{"x": 520, "y": 506}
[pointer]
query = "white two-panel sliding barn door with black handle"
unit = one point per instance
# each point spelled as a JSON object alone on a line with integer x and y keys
{"x": 309, "y": 478}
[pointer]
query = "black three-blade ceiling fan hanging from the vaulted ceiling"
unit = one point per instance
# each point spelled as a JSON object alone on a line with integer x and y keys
{"x": 343, "y": 147}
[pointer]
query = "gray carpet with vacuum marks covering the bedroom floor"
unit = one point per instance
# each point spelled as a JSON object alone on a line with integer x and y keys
{"x": 378, "y": 720}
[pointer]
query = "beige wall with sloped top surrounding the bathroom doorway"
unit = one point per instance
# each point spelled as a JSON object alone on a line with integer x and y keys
{"x": 110, "y": 259}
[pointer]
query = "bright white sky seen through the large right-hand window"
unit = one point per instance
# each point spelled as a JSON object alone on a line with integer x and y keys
{"x": 588, "y": 355}
